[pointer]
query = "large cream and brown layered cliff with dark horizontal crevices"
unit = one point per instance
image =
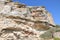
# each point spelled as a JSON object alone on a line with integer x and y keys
{"x": 21, "y": 22}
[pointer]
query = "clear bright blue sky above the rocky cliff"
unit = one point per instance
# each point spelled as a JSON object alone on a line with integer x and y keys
{"x": 53, "y": 6}
